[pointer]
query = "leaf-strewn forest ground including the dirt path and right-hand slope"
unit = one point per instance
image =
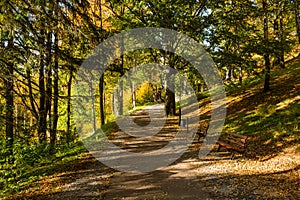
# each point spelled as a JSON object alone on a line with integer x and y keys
{"x": 269, "y": 170}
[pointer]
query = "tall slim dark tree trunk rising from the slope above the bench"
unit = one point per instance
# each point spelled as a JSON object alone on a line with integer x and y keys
{"x": 266, "y": 54}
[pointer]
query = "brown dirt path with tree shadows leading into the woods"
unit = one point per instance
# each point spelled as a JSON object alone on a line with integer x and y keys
{"x": 176, "y": 181}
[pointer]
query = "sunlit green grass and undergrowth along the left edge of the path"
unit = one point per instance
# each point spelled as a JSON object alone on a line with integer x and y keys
{"x": 32, "y": 163}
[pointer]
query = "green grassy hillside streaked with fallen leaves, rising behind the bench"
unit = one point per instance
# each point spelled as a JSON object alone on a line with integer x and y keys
{"x": 271, "y": 119}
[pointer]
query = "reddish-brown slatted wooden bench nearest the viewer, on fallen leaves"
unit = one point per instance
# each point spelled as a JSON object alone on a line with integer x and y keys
{"x": 233, "y": 142}
